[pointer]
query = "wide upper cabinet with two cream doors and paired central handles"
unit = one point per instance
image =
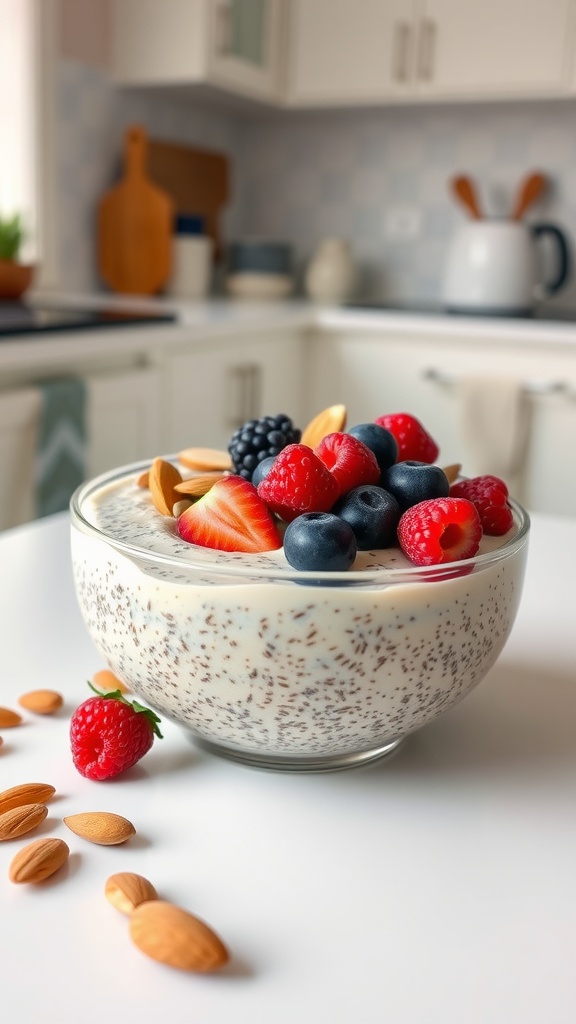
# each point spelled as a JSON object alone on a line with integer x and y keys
{"x": 353, "y": 52}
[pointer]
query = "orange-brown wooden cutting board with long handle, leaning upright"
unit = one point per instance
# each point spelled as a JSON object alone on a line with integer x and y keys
{"x": 135, "y": 226}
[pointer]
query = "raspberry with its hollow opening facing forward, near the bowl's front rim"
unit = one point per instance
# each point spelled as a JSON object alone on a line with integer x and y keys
{"x": 441, "y": 530}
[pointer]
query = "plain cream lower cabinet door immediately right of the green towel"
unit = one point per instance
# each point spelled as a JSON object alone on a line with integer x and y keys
{"x": 124, "y": 418}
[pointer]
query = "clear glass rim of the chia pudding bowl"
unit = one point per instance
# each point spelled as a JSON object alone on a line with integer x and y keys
{"x": 220, "y": 564}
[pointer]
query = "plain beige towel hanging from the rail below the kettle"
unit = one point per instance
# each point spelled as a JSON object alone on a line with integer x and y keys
{"x": 495, "y": 422}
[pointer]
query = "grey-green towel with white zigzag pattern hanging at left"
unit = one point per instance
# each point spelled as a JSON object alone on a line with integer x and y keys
{"x": 62, "y": 451}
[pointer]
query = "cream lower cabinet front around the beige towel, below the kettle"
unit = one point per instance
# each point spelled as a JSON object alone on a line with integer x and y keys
{"x": 374, "y": 374}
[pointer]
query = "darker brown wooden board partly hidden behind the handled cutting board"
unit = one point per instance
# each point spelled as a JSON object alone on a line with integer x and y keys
{"x": 197, "y": 181}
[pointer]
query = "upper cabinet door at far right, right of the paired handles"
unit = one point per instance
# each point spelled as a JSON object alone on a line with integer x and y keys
{"x": 503, "y": 48}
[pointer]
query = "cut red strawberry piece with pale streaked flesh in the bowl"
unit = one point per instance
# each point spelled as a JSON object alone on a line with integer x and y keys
{"x": 231, "y": 518}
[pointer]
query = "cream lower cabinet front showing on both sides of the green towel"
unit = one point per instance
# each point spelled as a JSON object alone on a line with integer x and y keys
{"x": 122, "y": 425}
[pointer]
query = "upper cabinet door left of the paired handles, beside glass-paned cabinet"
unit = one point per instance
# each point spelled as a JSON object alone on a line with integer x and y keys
{"x": 349, "y": 52}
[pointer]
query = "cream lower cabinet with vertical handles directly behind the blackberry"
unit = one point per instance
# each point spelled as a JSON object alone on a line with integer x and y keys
{"x": 212, "y": 390}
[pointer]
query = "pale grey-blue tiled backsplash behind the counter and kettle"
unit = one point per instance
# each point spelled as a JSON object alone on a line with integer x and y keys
{"x": 378, "y": 178}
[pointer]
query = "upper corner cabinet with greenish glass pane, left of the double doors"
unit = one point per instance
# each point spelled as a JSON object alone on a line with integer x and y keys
{"x": 234, "y": 46}
